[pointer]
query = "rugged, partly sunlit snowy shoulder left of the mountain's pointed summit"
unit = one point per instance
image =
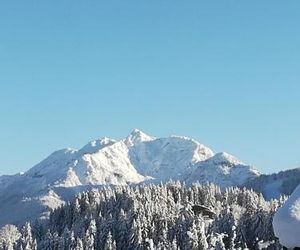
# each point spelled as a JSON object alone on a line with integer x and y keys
{"x": 100, "y": 162}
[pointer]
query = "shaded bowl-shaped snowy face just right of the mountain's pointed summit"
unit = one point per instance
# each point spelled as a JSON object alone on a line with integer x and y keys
{"x": 168, "y": 158}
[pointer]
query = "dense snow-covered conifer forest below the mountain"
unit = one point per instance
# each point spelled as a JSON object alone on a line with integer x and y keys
{"x": 165, "y": 216}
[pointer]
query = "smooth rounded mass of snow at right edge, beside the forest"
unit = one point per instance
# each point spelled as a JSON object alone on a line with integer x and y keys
{"x": 286, "y": 222}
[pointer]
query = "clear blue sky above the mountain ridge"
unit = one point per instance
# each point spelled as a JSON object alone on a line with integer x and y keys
{"x": 223, "y": 72}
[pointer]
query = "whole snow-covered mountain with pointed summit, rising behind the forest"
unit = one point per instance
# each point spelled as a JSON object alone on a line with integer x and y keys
{"x": 135, "y": 159}
